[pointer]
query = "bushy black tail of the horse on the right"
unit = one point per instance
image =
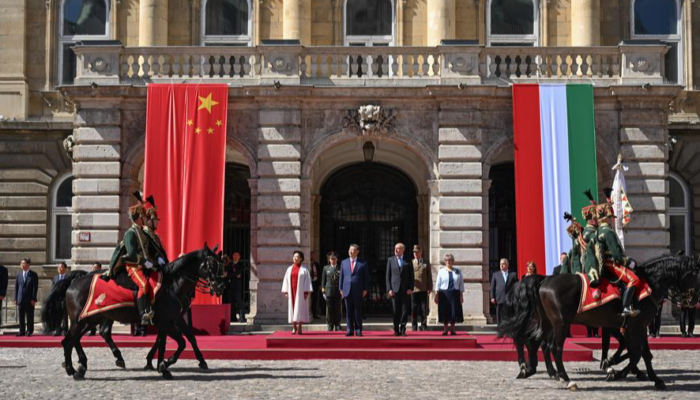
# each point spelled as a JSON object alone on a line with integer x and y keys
{"x": 520, "y": 319}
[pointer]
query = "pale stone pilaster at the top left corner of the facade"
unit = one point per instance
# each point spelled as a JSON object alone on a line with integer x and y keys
{"x": 14, "y": 88}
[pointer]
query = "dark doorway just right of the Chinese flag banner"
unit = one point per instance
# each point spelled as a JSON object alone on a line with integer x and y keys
{"x": 237, "y": 219}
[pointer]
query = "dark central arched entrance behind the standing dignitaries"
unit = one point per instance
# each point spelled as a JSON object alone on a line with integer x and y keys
{"x": 375, "y": 206}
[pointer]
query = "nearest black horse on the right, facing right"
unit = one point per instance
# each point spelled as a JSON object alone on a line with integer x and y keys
{"x": 551, "y": 307}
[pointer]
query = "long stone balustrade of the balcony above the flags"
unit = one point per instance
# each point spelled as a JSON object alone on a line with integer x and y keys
{"x": 369, "y": 66}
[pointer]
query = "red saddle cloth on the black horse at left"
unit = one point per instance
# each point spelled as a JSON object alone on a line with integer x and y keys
{"x": 107, "y": 295}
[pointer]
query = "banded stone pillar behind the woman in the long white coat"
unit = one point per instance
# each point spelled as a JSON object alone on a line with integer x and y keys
{"x": 280, "y": 225}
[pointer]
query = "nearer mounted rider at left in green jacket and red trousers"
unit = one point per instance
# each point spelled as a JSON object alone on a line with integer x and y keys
{"x": 134, "y": 254}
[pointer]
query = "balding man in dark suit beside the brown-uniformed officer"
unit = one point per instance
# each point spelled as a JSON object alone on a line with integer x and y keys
{"x": 399, "y": 284}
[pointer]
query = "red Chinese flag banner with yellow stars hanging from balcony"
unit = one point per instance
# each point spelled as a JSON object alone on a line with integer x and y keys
{"x": 185, "y": 165}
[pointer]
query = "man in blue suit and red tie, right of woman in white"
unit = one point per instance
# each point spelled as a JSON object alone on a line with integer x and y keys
{"x": 354, "y": 286}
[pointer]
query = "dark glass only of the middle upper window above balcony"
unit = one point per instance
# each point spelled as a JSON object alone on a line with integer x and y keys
{"x": 369, "y": 18}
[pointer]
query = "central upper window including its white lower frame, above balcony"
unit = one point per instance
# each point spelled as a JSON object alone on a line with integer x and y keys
{"x": 369, "y": 22}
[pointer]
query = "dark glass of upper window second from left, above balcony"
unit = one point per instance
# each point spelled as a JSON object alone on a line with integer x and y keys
{"x": 226, "y": 18}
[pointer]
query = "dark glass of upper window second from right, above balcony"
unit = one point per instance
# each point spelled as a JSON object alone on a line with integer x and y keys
{"x": 512, "y": 17}
